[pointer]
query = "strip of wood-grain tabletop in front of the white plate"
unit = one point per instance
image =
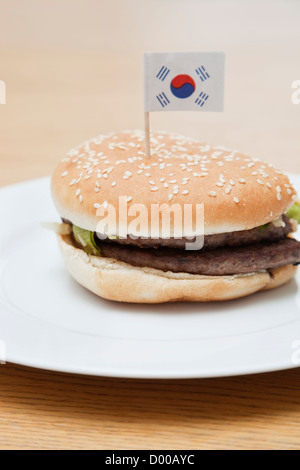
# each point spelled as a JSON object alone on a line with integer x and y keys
{"x": 44, "y": 410}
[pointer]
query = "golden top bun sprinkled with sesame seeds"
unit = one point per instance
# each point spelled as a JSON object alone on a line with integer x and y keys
{"x": 238, "y": 192}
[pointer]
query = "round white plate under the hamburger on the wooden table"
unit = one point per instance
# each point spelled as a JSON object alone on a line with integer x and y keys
{"x": 48, "y": 321}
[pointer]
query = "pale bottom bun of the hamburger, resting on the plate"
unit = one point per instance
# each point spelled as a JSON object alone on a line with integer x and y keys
{"x": 121, "y": 282}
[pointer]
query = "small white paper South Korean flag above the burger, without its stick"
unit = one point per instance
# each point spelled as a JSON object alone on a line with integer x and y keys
{"x": 184, "y": 81}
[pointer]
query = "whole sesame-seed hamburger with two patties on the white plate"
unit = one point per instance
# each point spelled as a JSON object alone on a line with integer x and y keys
{"x": 250, "y": 215}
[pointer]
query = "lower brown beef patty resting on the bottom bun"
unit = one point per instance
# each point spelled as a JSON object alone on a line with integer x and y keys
{"x": 218, "y": 262}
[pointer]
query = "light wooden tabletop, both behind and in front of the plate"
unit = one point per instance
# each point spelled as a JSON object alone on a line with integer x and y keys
{"x": 73, "y": 70}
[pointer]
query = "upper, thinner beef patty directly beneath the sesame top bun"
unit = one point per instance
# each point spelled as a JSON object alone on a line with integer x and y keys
{"x": 245, "y": 237}
